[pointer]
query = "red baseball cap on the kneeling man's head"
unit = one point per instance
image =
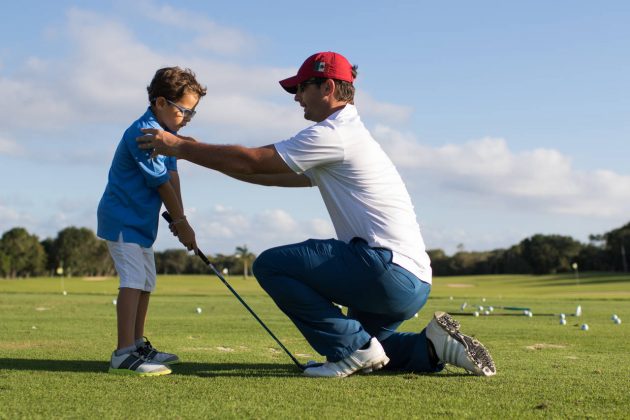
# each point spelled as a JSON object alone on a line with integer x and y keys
{"x": 329, "y": 65}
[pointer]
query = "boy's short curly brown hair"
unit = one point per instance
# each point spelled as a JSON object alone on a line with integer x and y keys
{"x": 172, "y": 83}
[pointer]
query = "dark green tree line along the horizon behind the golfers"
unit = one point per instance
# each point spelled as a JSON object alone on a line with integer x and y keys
{"x": 78, "y": 252}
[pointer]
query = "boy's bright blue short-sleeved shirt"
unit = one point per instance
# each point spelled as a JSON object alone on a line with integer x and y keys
{"x": 131, "y": 202}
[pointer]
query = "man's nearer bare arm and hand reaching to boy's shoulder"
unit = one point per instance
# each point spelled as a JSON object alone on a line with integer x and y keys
{"x": 229, "y": 159}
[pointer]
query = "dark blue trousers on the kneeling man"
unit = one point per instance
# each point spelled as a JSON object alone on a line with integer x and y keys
{"x": 306, "y": 279}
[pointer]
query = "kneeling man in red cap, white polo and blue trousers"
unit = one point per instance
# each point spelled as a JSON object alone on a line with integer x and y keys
{"x": 377, "y": 268}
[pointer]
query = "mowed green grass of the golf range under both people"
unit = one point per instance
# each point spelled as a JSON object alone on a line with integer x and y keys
{"x": 54, "y": 353}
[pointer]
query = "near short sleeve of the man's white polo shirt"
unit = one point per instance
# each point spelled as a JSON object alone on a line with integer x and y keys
{"x": 312, "y": 147}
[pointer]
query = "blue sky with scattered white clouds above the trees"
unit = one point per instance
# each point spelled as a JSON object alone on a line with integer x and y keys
{"x": 505, "y": 119}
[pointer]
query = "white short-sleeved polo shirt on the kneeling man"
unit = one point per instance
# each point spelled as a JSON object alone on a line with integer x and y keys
{"x": 363, "y": 192}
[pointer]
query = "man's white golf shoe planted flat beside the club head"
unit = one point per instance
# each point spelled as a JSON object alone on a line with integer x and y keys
{"x": 366, "y": 361}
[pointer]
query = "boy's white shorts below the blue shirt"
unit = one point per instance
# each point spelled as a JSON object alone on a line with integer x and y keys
{"x": 135, "y": 265}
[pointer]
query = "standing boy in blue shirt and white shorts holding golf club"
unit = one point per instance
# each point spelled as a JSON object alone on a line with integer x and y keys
{"x": 128, "y": 216}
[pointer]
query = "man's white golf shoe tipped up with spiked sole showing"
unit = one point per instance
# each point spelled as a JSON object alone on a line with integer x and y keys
{"x": 451, "y": 346}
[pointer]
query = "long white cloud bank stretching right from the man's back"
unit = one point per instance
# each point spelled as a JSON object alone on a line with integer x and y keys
{"x": 543, "y": 178}
